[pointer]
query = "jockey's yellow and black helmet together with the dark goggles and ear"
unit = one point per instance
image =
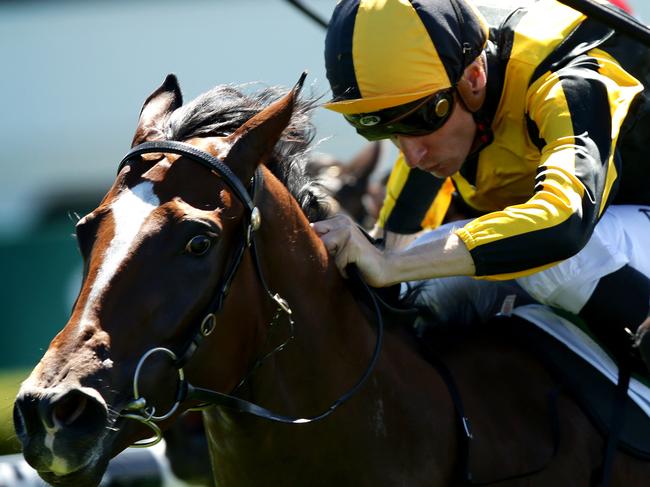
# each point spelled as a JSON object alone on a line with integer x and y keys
{"x": 397, "y": 67}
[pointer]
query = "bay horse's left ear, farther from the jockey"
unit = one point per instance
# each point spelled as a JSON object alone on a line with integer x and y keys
{"x": 156, "y": 109}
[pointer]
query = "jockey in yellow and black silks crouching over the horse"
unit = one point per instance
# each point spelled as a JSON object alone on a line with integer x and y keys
{"x": 537, "y": 120}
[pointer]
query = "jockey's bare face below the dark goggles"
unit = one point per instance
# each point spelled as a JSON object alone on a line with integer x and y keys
{"x": 443, "y": 151}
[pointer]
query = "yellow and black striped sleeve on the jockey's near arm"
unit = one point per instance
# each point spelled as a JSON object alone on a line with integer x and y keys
{"x": 577, "y": 114}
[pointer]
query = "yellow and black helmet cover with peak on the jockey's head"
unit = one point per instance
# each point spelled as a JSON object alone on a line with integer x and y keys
{"x": 384, "y": 53}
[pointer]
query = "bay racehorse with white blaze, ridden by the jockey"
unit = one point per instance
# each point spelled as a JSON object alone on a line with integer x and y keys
{"x": 200, "y": 267}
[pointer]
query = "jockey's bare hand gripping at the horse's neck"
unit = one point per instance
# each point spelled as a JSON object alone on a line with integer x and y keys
{"x": 348, "y": 245}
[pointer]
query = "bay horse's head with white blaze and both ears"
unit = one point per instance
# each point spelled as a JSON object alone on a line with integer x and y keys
{"x": 160, "y": 254}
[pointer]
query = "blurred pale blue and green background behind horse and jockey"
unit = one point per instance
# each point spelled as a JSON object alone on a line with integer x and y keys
{"x": 73, "y": 77}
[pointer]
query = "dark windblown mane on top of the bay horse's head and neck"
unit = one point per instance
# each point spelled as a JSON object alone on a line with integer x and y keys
{"x": 220, "y": 111}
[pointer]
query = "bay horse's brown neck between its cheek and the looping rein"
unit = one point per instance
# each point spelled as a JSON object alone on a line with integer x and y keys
{"x": 329, "y": 324}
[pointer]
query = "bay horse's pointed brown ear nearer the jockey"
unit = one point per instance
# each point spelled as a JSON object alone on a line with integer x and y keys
{"x": 253, "y": 142}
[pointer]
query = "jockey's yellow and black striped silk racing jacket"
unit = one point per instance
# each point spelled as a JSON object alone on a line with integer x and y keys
{"x": 561, "y": 91}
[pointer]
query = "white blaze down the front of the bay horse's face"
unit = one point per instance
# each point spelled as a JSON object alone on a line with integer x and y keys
{"x": 130, "y": 211}
